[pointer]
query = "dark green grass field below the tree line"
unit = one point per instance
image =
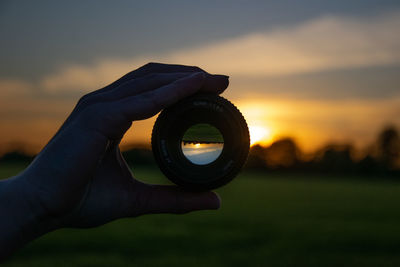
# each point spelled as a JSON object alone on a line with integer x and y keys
{"x": 264, "y": 221}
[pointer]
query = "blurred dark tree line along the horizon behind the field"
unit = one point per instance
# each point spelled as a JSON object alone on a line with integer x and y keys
{"x": 382, "y": 157}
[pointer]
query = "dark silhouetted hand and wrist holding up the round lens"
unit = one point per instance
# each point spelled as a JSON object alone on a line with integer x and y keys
{"x": 80, "y": 178}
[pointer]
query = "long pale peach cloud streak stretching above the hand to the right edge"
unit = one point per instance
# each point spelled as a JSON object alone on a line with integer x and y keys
{"x": 324, "y": 43}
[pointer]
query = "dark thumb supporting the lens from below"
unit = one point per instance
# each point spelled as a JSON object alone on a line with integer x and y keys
{"x": 172, "y": 199}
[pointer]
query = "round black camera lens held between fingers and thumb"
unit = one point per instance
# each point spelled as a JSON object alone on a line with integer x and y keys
{"x": 201, "y": 142}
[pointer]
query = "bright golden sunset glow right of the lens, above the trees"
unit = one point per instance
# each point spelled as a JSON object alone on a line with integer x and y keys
{"x": 315, "y": 123}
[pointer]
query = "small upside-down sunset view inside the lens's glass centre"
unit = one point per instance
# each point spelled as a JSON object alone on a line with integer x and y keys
{"x": 202, "y": 144}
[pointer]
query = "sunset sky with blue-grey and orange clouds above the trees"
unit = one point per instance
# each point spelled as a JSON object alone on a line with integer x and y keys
{"x": 318, "y": 71}
